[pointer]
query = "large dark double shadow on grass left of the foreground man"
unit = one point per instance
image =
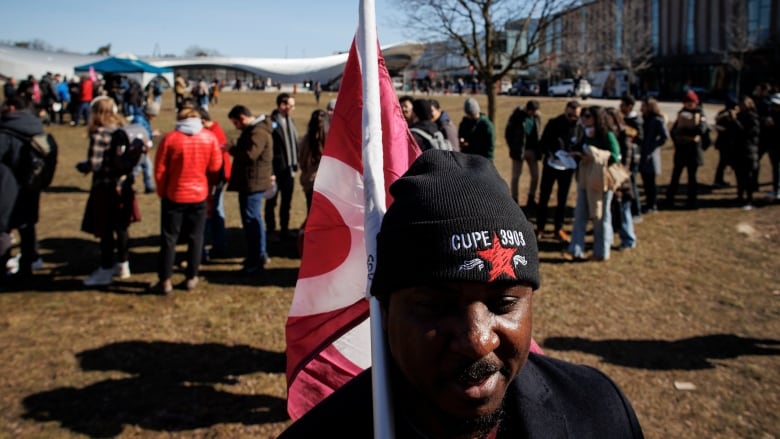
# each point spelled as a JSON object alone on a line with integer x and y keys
{"x": 173, "y": 388}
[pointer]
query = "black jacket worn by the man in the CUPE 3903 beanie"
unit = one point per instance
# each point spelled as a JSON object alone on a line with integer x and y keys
{"x": 549, "y": 399}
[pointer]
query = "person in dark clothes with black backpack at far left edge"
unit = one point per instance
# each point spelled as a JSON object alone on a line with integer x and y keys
{"x": 17, "y": 127}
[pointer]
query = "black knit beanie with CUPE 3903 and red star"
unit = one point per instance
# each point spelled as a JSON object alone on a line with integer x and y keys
{"x": 453, "y": 219}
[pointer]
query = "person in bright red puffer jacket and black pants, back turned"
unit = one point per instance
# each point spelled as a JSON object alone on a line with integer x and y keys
{"x": 184, "y": 159}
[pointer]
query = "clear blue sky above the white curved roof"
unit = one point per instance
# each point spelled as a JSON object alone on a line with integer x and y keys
{"x": 264, "y": 28}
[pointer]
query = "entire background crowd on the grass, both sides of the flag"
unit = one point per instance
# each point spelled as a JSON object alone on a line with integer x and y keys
{"x": 581, "y": 145}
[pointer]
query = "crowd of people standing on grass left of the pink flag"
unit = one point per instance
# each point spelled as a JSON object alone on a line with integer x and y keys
{"x": 193, "y": 165}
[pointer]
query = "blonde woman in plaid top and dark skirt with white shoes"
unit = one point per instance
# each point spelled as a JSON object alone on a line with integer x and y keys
{"x": 111, "y": 206}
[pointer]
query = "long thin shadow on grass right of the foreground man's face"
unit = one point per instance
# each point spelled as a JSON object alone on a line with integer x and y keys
{"x": 693, "y": 353}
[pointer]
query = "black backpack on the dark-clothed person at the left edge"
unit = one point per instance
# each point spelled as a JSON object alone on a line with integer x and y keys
{"x": 38, "y": 160}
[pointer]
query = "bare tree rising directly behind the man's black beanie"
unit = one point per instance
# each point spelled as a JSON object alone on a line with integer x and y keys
{"x": 478, "y": 30}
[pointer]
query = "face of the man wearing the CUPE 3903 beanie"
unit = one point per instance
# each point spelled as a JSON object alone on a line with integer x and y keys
{"x": 457, "y": 346}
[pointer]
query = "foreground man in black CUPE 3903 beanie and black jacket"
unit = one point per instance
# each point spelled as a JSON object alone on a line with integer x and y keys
{"x": 455, "y": 275}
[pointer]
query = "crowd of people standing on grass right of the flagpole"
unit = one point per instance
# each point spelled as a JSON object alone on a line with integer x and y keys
{"x": 584, "y": 144}
